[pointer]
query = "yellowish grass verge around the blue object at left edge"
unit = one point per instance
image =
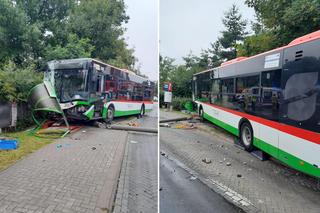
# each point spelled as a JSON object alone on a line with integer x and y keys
{"x": 27, "y": 144}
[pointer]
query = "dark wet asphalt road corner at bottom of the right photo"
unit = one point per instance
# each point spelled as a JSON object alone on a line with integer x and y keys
{"x": 182, "y": 192}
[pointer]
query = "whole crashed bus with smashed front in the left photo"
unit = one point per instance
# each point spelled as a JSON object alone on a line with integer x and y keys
{"x": 88, "y": 89}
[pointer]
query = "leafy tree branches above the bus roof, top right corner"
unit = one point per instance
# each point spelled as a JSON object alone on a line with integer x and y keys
{"x": 287, "y": 19}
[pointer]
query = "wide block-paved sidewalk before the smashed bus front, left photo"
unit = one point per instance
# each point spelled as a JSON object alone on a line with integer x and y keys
{"x": 68, "y": 175}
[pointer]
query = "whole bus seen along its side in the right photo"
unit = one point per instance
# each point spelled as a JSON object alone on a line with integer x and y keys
{"x": 271, "y": 101}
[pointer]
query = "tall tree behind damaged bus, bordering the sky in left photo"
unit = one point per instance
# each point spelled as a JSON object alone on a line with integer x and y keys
{"x": 101, "y": 22}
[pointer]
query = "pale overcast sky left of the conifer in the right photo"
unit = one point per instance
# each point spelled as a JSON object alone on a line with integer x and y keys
{"x": 193, "y": 24}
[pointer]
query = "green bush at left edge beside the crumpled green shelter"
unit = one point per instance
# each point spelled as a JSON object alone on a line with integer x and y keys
{"x": 15, "y": 83}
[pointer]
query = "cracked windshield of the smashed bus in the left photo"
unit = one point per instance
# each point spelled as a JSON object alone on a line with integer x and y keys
{"x": 70, "y": 84}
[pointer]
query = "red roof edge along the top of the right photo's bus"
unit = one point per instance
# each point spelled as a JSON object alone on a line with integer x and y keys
{"x": 240, "y": 60}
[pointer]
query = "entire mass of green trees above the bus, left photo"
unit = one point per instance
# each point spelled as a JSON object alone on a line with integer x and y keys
{"x": 34, "y": 31}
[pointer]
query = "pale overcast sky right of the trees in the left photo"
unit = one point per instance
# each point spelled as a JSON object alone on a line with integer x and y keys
{"x": 142, "y": 34}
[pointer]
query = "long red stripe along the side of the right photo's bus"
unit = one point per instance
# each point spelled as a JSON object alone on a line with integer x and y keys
{"x": 301, "y": 133}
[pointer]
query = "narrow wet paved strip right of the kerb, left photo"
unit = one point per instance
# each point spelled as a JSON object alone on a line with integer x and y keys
{"x": 138, "y": 184}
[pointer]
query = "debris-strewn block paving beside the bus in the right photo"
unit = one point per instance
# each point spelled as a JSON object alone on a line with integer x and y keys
{"x": 269, "y": 186}
